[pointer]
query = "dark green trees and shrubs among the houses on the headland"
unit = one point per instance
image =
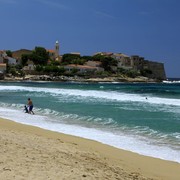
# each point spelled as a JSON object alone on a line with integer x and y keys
{"x": 44, "y": 65}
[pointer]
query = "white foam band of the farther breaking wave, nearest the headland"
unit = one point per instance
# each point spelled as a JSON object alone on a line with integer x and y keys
{"x": 90, "y": 94}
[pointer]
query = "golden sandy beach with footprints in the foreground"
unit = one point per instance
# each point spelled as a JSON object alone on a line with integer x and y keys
{"x": 32, "y": 153}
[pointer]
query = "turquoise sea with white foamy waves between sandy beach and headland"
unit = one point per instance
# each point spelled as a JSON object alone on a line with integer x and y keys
{"x": 139, "y": 117}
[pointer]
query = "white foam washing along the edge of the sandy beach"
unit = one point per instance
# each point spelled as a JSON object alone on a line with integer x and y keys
{"x": 121, "y": 140}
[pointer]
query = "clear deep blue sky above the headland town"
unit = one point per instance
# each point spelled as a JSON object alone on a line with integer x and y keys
{"x": 148, "y": 28}
